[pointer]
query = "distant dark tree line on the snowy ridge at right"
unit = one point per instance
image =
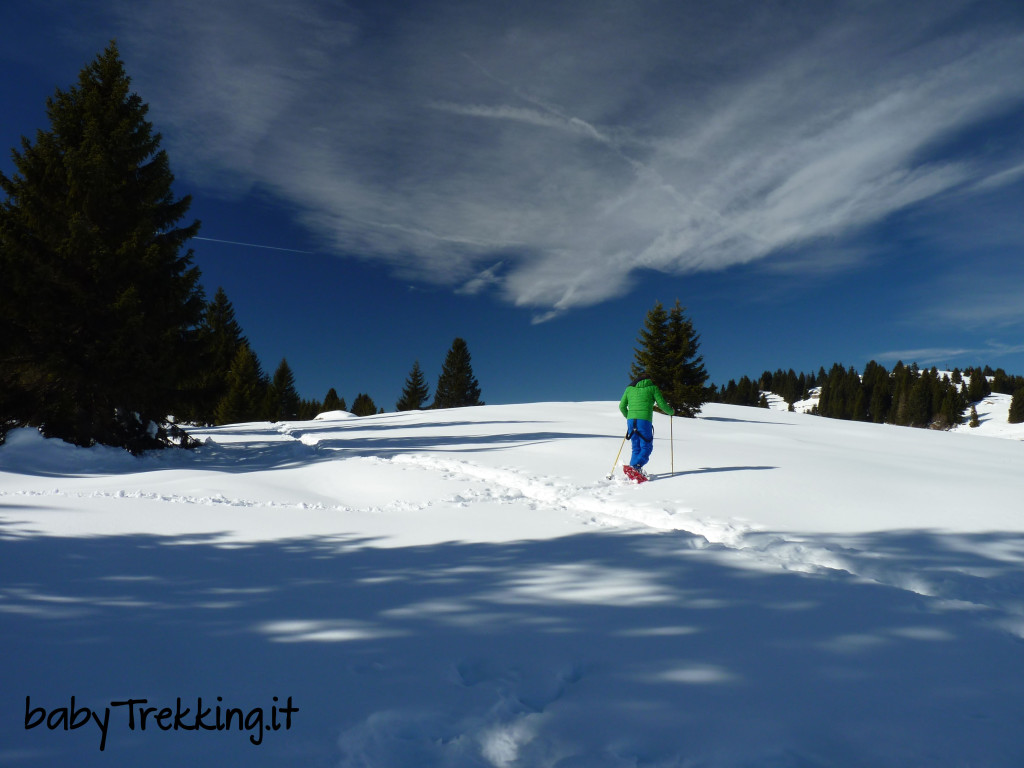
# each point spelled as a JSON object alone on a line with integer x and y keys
{"x": 908, "y": 396}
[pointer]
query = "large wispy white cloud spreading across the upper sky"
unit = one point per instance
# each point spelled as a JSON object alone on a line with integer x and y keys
{"x": 581, "y": 143}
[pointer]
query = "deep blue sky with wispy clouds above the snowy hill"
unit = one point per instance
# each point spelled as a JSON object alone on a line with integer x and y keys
{"x": 817, "y": 183}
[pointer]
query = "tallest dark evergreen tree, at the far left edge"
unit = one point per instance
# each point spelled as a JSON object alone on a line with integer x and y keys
{"x": 98, "y": 324}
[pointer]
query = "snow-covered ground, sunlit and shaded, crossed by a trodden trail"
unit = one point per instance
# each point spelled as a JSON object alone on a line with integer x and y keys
{"x": 466, "y": 588}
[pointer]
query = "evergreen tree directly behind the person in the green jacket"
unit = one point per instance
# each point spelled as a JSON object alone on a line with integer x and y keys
{"x": 669, "y": 356}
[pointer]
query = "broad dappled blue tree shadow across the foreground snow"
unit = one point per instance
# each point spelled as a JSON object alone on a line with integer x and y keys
{"x": 447, "y": 655}
